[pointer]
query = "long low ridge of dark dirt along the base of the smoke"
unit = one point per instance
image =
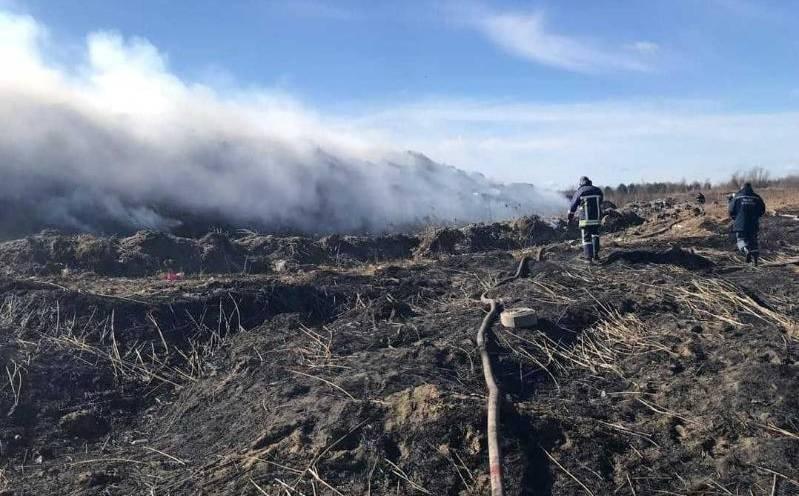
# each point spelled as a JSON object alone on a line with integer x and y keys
{"x": 148, "y": 253}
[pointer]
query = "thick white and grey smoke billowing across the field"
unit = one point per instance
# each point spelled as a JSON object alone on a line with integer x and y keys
{"x": 118, "y": 142}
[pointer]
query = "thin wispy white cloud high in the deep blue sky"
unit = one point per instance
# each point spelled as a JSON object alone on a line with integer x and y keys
{"x": 527, "y": 35}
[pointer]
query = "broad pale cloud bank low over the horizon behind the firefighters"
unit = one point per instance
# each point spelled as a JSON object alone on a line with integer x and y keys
{"x": 619, "y": 141}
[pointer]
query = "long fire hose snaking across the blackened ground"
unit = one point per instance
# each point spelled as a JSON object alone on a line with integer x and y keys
{"x": 494, "y": 453}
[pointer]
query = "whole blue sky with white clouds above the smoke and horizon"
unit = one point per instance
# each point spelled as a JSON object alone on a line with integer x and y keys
{"x": 538, "y": 91}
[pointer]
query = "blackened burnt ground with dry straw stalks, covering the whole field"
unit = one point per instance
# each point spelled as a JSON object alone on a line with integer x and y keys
{"x": 349, "y": 365}
